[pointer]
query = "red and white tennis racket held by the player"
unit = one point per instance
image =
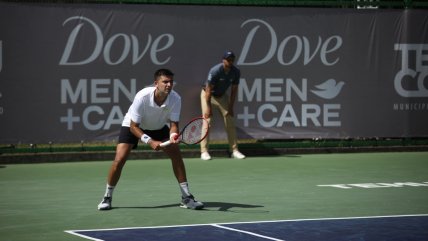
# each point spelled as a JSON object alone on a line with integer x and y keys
{"x": 193, "y": 133}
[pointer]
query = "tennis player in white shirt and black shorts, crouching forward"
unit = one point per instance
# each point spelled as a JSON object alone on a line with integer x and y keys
{"x": 146, "y": 120}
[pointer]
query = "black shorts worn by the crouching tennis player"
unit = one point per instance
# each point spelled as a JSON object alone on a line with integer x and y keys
{"x": 126, "y": 135}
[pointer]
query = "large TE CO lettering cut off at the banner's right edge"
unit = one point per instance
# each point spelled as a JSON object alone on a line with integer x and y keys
{"x": 416, "y": 76}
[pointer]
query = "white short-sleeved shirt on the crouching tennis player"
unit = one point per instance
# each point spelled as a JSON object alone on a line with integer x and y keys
{"x": 150, "y": 115}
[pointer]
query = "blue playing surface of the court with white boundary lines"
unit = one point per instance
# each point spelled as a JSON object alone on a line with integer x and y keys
{"x": 406, "y": 227}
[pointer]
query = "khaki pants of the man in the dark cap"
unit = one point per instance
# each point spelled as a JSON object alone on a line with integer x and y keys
{"x": 220, "y": 103}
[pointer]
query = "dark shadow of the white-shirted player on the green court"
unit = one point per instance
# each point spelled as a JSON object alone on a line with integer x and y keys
{"x": 208, "y": 206}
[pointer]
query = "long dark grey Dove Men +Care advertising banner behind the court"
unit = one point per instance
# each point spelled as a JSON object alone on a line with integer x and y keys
{"x": 68, "y": 72}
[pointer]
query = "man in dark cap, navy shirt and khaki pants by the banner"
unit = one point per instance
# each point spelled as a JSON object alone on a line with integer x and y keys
{"x": 213, "y": 94}
